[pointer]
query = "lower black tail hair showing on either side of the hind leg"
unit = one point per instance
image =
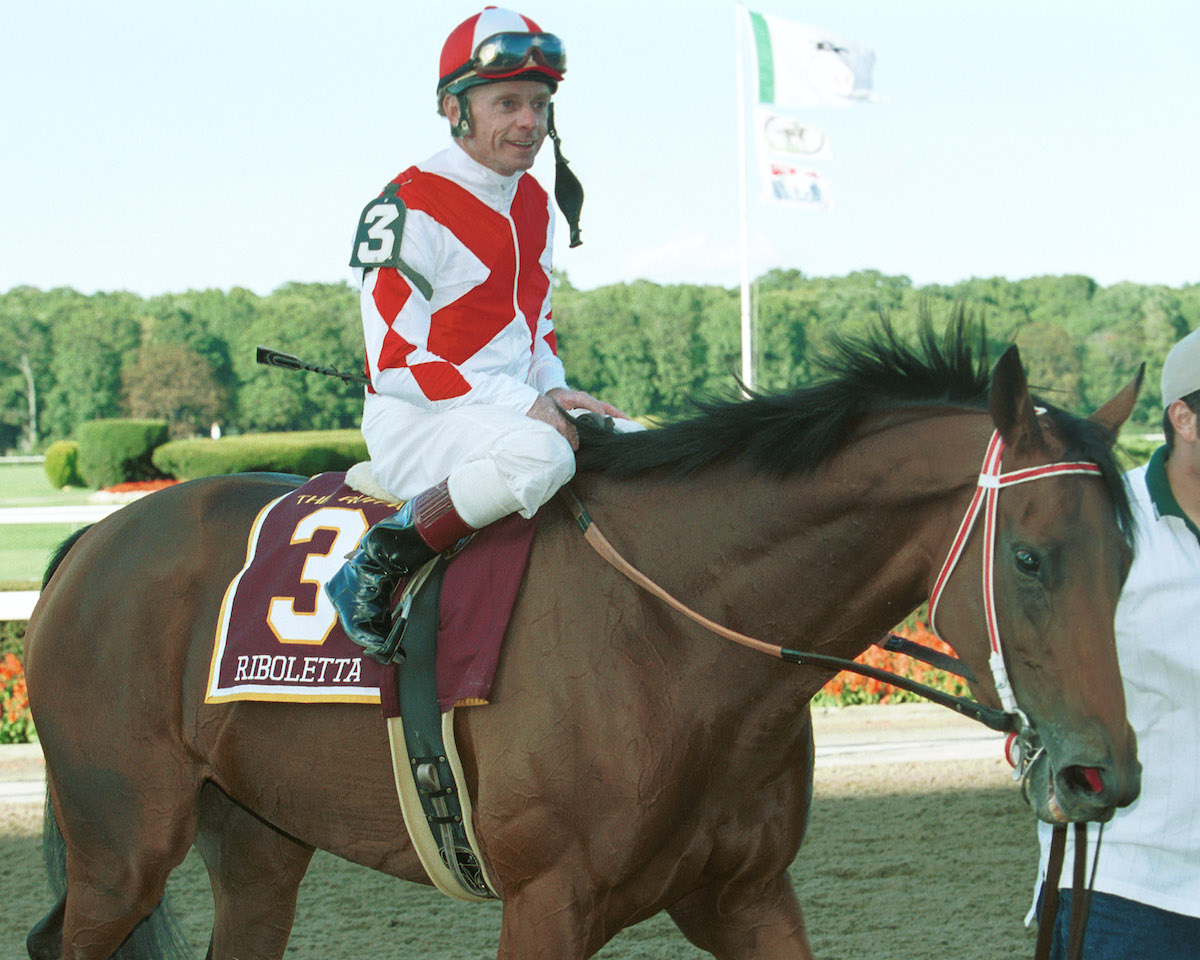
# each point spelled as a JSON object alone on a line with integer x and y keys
{"x": 158, "y": 938}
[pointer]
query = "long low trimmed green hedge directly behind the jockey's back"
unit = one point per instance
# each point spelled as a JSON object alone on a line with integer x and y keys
{"x": 307, "y": 453}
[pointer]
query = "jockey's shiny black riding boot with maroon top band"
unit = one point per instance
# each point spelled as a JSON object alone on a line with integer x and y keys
{"x": 393, "y": 549}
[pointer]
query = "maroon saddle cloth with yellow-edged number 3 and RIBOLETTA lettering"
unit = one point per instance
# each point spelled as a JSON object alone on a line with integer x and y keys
{"x": 279, "y": 638}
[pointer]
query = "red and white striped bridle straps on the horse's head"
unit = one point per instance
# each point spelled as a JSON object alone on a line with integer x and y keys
{"x": 988, "y": 495}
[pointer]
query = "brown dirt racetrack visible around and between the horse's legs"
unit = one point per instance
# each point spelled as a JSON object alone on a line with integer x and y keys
{"x": 920, "y": 861}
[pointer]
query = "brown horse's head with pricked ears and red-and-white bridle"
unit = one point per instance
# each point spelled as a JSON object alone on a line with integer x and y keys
{"x": 1061, "y": 551}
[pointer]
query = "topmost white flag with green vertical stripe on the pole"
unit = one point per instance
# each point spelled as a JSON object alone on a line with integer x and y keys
{"x": 805, "y": 67}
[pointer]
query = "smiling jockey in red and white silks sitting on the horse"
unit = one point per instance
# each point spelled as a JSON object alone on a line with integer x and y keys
{"x": 465, "y": 415}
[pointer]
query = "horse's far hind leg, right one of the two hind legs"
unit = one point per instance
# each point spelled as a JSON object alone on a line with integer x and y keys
{"x": 256, "y": 873}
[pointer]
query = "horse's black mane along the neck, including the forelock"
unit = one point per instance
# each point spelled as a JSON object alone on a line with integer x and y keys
{"x": 797, "y": 431}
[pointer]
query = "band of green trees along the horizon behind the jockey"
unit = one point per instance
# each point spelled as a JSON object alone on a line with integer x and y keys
{"x": 189, "y": 358}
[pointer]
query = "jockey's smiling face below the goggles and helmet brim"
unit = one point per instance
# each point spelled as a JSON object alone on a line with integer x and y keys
{"x": 508, "y": 124}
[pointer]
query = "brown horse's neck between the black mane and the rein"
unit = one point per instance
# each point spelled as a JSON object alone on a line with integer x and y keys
{"x": 826, "y": 561}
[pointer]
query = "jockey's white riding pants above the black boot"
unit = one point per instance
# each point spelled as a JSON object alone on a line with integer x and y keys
{"x": 497, "y": 461}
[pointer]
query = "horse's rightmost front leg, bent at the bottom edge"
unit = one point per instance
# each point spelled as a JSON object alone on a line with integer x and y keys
{"x": 764, "y": 922}
